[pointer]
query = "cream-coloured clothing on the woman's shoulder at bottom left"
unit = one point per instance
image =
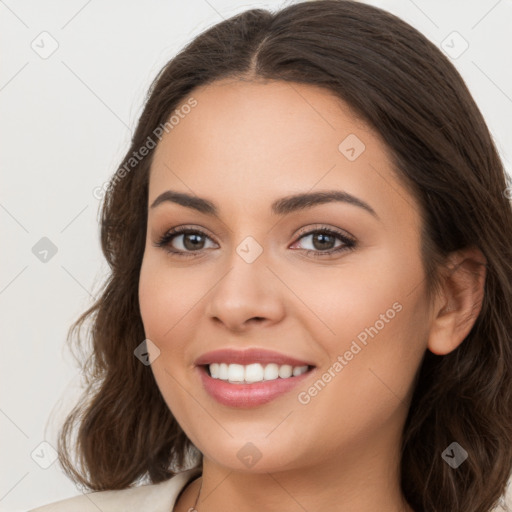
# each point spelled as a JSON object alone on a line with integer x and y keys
{"x": 159, "y": 497}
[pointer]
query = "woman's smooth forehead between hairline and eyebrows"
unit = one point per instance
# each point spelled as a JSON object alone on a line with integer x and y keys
{"x": 251, "y": 142}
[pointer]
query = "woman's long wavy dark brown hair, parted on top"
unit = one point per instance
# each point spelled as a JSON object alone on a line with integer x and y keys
{"x": 403, "y": 86}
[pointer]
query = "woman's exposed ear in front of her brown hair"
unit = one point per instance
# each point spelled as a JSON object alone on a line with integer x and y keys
{"x": 460, "y": 302}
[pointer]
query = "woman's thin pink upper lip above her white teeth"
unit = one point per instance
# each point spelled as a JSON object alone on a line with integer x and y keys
{"x": 248, "y": 356}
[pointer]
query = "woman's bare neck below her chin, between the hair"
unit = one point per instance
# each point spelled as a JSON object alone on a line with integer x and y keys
{"x": 363, "y": 478}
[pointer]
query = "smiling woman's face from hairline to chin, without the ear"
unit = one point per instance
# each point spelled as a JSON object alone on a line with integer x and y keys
{"x": 261, "y": 274}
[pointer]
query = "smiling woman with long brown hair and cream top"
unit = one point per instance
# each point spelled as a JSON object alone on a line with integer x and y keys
{"x": 310, "y": 245}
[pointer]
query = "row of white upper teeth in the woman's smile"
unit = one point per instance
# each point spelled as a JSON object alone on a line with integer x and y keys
{"x": 254, "y": 372}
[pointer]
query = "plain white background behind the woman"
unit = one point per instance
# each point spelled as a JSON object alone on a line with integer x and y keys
{"x": 66, "y": 121}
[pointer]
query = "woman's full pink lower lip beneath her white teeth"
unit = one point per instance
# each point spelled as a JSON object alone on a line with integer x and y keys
{"x": 248, "y": 395}
